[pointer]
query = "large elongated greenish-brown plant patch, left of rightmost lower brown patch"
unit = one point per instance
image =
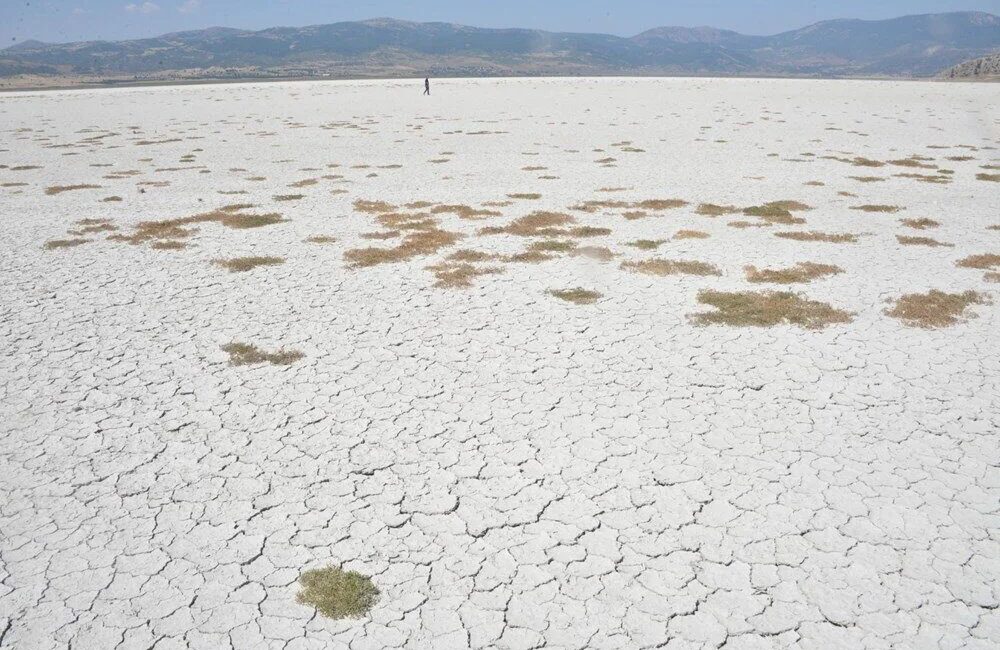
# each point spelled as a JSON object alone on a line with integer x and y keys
{"x": 766, "y": 309}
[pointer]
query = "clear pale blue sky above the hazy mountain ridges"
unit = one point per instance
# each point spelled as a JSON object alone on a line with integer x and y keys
{"x": 71, "y": 20}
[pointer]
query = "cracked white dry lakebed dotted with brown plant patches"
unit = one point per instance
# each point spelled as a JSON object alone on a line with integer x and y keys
{"x": 512, "y": 469}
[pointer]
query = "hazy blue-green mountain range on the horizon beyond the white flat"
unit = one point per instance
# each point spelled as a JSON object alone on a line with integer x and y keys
{"x": 911, "y": 46}
